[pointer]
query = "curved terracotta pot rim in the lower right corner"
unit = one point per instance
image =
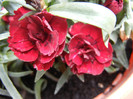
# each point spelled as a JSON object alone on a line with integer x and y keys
{"x": 123, "y": 88}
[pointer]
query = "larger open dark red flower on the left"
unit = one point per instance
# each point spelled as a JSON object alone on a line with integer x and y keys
{"x": 38, "y": 38}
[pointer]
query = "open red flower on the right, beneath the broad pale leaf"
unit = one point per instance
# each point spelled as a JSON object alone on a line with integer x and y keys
{"x": 87, "y": 52}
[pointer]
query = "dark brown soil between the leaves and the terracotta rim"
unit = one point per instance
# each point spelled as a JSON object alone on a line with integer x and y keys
{"x": 75, "y": 89}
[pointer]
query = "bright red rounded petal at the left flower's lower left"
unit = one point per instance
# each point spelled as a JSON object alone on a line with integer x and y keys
{"x": 28, "y": 56}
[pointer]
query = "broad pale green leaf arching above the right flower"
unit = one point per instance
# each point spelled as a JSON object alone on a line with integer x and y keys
{"x": 86, "y": 12}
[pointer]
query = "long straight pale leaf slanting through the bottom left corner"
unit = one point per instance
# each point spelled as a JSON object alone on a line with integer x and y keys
{"x": 8, "y": 84}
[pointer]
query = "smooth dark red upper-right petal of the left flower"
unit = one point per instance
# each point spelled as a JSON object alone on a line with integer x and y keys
{"x": 60, "y": 25}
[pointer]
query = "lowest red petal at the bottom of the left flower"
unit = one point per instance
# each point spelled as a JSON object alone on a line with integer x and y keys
{"x": 40, "y": 66}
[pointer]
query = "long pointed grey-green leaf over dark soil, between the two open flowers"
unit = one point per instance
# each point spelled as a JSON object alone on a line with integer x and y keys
{"x": 63, "y": 79}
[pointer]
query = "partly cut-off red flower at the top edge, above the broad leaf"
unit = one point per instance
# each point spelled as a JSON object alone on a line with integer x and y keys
{"x": 115, "y": 5}
